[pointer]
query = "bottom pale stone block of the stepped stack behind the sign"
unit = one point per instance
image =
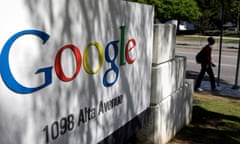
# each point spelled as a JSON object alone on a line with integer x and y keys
{"x": 168, "y": 117}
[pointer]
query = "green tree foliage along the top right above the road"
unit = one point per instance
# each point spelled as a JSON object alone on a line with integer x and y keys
{"x": 205, "y": 14}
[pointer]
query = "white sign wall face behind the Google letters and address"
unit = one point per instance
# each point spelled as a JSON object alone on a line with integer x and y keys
{"x": 25, "y": 117}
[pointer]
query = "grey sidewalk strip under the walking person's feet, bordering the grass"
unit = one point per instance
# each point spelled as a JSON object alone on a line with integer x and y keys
{"x": 224, "y": 90}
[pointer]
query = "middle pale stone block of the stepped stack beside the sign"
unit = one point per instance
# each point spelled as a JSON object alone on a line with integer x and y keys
{"x": 167, "y": 78}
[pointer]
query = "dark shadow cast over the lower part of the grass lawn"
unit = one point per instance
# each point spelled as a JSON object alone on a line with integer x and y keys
{"x": 210, "y": 128}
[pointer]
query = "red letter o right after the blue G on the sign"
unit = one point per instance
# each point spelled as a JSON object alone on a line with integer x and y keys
{"x": 58, "y": 67}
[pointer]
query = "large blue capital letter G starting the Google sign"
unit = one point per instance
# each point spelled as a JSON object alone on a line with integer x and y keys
{"x": 6, "y": 73}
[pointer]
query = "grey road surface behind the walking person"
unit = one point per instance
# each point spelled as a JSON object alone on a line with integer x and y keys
{"x": 228, "y": 64}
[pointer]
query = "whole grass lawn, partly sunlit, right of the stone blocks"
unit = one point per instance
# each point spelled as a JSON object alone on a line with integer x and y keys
{"x": 215, "y": 120}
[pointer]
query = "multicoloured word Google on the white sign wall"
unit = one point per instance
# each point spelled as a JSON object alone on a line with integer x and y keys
{"x": 15, "y": 86}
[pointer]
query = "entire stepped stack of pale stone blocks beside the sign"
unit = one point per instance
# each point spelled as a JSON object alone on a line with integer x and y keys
{"x": 171, "y": 93}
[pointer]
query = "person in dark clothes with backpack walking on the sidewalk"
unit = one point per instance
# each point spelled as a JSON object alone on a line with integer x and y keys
{"x": 205, "y": 59}
